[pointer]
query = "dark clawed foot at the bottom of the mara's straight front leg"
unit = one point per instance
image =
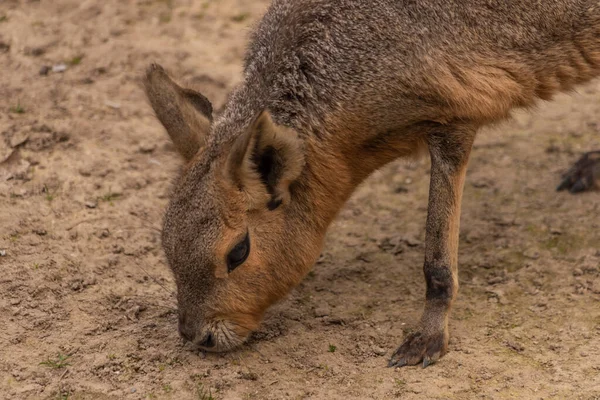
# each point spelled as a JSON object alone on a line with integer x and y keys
{"x": 418, "y": 348}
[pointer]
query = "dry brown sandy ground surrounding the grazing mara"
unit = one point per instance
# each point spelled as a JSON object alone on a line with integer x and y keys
{"x": 86, "y": 305}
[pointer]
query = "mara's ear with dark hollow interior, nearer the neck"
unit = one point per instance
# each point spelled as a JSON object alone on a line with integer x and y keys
{"x": 265, "y": 160}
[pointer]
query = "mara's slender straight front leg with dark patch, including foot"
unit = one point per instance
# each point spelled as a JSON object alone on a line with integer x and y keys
{"x": 449, "y": 150}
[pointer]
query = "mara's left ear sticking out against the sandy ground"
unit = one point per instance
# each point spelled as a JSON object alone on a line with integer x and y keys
{"x": 185, "y": 113}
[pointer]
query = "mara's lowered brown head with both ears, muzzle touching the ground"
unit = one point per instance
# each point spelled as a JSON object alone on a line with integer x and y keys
{"x": 235, "y": 232}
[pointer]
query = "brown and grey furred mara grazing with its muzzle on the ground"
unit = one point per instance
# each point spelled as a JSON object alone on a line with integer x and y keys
{"x": 333, "y": 90}
